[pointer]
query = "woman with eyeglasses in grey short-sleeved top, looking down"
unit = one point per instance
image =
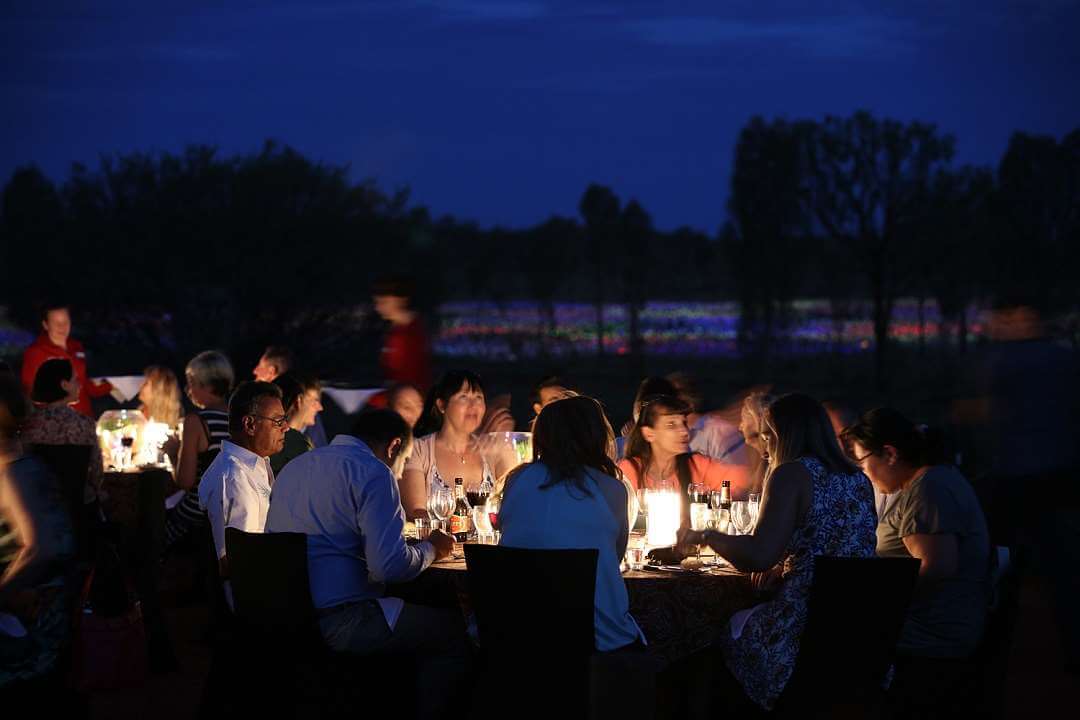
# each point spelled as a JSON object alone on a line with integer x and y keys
{"x": 936, "y": 519}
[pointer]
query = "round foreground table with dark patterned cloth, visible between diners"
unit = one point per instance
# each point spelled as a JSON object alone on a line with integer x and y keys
{"x": 680, "y": 612}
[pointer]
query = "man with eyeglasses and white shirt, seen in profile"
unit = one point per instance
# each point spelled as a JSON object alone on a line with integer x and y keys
{"x": 236, "y": 488}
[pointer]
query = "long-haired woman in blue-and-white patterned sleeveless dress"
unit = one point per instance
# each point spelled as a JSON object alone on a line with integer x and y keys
{"x": 815, "y": 502}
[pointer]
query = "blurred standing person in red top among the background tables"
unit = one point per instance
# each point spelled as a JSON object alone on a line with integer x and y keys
{"x": 407, "y": 351}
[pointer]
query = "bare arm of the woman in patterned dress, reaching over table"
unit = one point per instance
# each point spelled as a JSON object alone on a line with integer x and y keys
{"x": 786, "y": 498}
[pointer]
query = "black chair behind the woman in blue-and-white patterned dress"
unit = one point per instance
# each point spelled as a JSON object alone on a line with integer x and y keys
{"x": 857, "y": 609}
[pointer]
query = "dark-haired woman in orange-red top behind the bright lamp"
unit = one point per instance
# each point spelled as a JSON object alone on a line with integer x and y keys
{"x": 658, "y": 452}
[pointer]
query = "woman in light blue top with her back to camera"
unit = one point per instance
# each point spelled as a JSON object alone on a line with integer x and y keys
{"x": 574, "y": 481}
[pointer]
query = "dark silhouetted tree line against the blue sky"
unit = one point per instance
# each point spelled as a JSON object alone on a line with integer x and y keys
{"x": 271, "y": 246}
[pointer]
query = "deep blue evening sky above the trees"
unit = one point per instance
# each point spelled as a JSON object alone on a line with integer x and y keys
{"x": 503, "y": 113}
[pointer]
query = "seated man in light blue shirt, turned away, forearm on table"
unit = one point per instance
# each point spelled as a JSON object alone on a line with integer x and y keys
{"x": 346, "y": 500}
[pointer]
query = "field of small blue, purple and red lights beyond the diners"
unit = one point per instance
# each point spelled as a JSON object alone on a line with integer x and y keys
{"x": 524, "y": 330}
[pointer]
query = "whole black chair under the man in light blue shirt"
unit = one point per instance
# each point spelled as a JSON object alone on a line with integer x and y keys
{"x": 277, "y": 637}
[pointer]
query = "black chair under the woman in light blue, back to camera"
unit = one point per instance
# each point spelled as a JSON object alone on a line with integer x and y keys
{"x": 535, "y": 617}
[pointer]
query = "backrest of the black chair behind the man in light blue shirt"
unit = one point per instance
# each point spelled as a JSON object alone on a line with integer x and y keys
{"x": 271, "y": 591}
